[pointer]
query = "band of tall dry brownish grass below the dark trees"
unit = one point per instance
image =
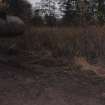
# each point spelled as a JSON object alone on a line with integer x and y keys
{"x": 88, "y": 41}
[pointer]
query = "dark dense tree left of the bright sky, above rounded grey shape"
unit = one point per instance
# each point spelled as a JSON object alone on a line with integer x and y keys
{"x": 20, "y": 8}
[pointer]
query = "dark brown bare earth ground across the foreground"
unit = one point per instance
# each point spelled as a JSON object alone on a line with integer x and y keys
{"x": 49, "y": 86}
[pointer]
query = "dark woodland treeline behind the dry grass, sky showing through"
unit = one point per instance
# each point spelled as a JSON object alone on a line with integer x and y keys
{"x": 65, "y": 12}
